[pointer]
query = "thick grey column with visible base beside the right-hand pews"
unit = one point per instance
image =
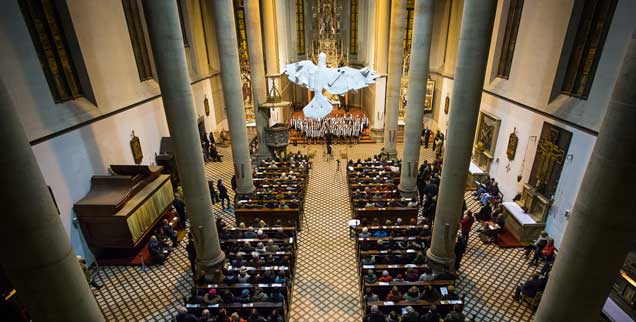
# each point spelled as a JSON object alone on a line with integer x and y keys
{"x": 474, "y": 43}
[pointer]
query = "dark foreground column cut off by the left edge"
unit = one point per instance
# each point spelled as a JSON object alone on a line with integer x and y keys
{"x": 37, "y": 254}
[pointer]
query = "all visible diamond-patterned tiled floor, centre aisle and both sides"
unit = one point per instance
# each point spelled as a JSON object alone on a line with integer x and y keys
{"x": 326, "y": 285}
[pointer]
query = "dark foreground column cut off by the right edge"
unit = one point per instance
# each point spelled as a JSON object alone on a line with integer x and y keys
{"x": 602, "y": 225}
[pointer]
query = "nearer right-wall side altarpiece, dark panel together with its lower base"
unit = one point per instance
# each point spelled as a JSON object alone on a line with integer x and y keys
{"x": 552, "y": 151}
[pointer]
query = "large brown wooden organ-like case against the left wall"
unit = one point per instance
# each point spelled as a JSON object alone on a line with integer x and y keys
{"x": 120, "y": 210}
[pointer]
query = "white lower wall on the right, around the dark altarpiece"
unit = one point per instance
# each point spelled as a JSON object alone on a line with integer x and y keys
{"x": 529, "y": 124}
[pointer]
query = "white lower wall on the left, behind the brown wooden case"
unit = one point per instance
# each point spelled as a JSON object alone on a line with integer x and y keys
{"x": 69, "y": 161}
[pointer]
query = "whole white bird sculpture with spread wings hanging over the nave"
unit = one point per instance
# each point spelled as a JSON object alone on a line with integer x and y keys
{"x": 336, "y": 81}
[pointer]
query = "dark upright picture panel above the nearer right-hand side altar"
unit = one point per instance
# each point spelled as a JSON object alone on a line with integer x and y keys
{"x": 552, "y": 150}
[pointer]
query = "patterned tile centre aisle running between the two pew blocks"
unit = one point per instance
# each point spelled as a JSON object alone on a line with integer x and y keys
{"x": 326, "y": 285}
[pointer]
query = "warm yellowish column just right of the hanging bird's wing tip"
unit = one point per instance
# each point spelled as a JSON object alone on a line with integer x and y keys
{"x": 396, "y": 56}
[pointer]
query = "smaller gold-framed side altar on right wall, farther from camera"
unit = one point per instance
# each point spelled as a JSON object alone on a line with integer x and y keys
{"x": 486, "y": 140}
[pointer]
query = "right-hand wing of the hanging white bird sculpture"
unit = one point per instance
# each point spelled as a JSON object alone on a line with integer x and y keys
{"x": 343, "y": 79}
